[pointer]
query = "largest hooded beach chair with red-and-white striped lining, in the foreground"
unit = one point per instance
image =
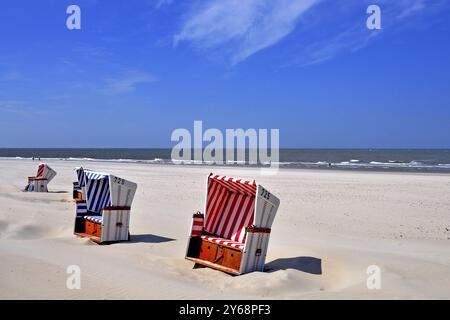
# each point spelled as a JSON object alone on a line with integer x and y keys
{"x": 233, "y": 234}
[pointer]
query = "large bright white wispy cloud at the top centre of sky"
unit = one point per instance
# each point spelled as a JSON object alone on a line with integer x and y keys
{"x": 244, "y": 27}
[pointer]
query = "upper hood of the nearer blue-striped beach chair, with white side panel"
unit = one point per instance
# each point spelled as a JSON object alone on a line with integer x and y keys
{"x": 105, "y": 190}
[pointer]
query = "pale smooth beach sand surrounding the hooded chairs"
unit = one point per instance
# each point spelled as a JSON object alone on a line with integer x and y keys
{"x": 331, "y": 226}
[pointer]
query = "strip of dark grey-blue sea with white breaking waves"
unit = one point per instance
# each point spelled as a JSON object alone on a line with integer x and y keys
{"x": 410, "y": 160}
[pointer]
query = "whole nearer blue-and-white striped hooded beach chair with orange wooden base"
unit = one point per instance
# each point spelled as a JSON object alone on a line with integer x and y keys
{"x": 104, "y": 216}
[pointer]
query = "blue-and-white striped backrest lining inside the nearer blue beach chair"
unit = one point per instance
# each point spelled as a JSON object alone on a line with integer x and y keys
{"x": 97, "y": 191}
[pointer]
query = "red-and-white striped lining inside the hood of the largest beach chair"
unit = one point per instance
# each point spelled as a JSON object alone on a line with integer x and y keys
{"x": 230, "y": 207}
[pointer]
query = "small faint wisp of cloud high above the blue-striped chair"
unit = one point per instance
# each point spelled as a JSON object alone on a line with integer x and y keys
{"x": 126, "y": 82}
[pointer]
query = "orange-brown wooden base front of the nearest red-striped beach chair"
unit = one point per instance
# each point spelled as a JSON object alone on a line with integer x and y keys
{"x": 215, "y": 256}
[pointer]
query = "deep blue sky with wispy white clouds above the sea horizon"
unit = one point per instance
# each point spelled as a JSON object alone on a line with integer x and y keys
{"x": 137, "y": 70}
